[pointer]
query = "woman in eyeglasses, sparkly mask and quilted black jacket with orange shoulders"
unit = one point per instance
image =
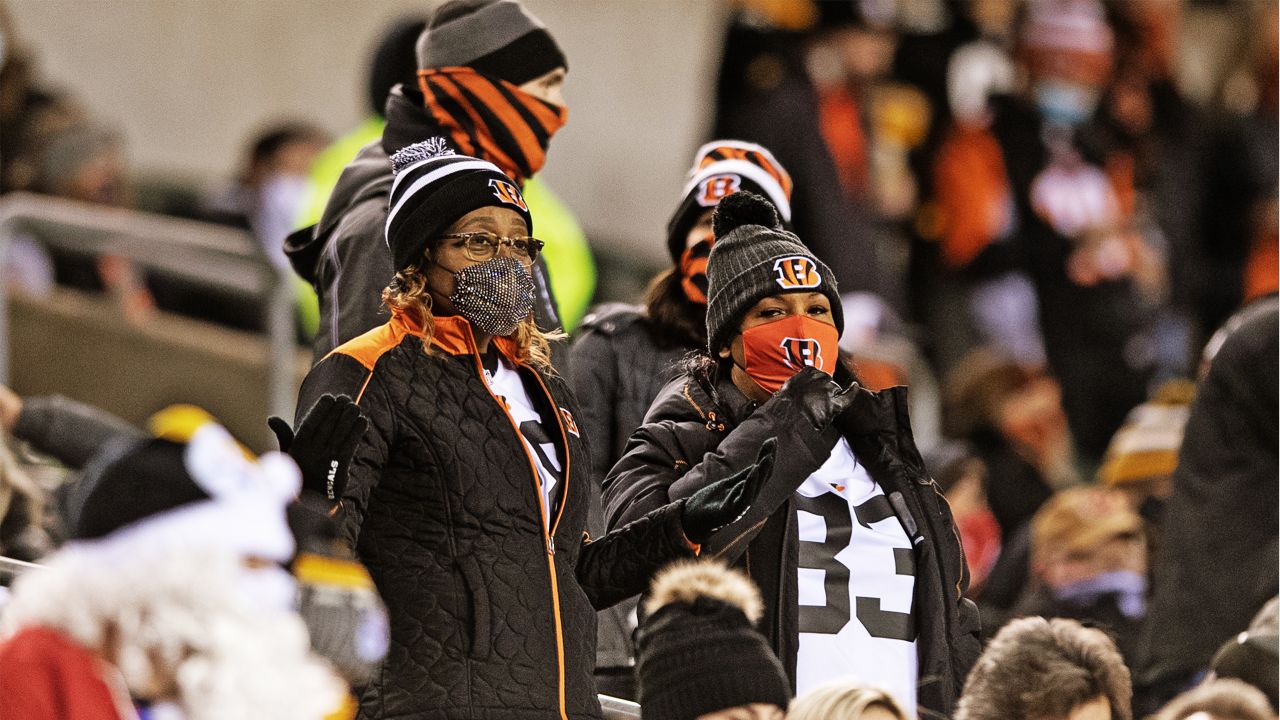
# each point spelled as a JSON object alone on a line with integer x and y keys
{"x": 468, "y": 495}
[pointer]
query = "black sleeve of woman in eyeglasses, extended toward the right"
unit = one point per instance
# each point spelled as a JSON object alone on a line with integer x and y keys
{"x": 621, "y": 564}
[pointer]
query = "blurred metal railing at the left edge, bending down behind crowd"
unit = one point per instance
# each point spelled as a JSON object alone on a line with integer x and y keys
{"x": 217, "y": 257}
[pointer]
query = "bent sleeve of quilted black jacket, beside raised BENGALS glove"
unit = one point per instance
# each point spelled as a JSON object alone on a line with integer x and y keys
{"x": 341, "y": 375}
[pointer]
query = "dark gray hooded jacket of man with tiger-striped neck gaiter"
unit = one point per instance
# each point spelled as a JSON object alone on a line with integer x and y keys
{"x": 345, "y": 257}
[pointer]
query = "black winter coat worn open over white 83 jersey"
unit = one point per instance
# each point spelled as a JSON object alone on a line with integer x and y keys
{"x": 697, "y": 435}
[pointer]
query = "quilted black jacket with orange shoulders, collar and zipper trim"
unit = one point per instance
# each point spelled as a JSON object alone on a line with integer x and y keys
{"x": 492, "y": 617}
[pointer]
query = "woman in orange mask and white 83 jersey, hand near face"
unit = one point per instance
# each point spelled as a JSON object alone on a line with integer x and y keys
{"x": 853, "y": 548}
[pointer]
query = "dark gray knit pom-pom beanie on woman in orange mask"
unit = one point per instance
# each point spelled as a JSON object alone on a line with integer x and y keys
{"x": 755, "y": 258}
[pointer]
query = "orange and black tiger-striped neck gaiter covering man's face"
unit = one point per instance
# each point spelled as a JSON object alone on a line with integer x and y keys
{"x": 492, "y": 120}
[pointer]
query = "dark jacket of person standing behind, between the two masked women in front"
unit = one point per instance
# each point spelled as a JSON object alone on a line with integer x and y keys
{"x": 616, "y": 370}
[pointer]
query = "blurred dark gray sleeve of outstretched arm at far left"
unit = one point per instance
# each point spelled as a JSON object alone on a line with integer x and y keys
{"x": 70, "y": 431}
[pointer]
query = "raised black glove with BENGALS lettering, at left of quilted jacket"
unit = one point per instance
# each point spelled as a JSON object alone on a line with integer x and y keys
{"x": 324, "y": 443}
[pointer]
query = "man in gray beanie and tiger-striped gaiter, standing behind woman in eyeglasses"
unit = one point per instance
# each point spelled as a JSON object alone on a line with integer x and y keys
{"x": 490, "y": 84}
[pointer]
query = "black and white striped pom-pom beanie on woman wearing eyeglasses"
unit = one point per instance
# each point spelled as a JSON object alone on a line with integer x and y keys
{"x": 433, "y": 189}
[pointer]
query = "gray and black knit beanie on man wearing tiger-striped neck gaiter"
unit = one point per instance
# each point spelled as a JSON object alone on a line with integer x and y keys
{"x": 496, "y": 38}
